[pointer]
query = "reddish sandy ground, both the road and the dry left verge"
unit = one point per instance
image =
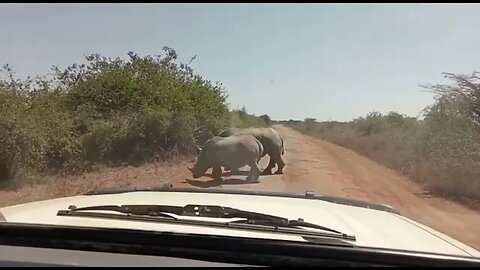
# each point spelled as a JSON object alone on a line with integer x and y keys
{"x": 312, "y": 164}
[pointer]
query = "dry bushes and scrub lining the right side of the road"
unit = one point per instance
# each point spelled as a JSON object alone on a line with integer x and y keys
{"x": 440, "y": 149}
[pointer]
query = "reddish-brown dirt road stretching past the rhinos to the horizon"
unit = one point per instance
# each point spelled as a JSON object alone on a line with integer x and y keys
{"x": 314, "y": 164}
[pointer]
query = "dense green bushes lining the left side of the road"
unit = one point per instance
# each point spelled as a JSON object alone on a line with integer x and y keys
{"x": 110, "y": 112}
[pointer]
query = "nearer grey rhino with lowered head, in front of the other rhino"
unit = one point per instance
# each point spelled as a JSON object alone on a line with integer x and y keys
{"x": 232, "y": 152}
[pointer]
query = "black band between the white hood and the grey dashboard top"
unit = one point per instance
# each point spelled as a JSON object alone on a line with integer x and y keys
{"x": 237, "y": 250}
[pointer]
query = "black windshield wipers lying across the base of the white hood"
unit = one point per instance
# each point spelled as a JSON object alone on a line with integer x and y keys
{"x": 252, "y": 219}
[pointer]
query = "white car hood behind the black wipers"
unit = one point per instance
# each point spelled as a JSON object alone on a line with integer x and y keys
{"x": 372, "y": 228}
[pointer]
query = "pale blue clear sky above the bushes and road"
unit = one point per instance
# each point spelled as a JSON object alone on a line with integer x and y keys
{"x": 330, "y": 62}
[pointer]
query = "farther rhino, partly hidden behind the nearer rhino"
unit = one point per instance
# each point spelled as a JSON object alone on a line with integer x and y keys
{"x": 271, "y": 140}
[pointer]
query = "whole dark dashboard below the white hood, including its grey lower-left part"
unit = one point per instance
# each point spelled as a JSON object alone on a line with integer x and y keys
{"x": 48, "y": 245}
